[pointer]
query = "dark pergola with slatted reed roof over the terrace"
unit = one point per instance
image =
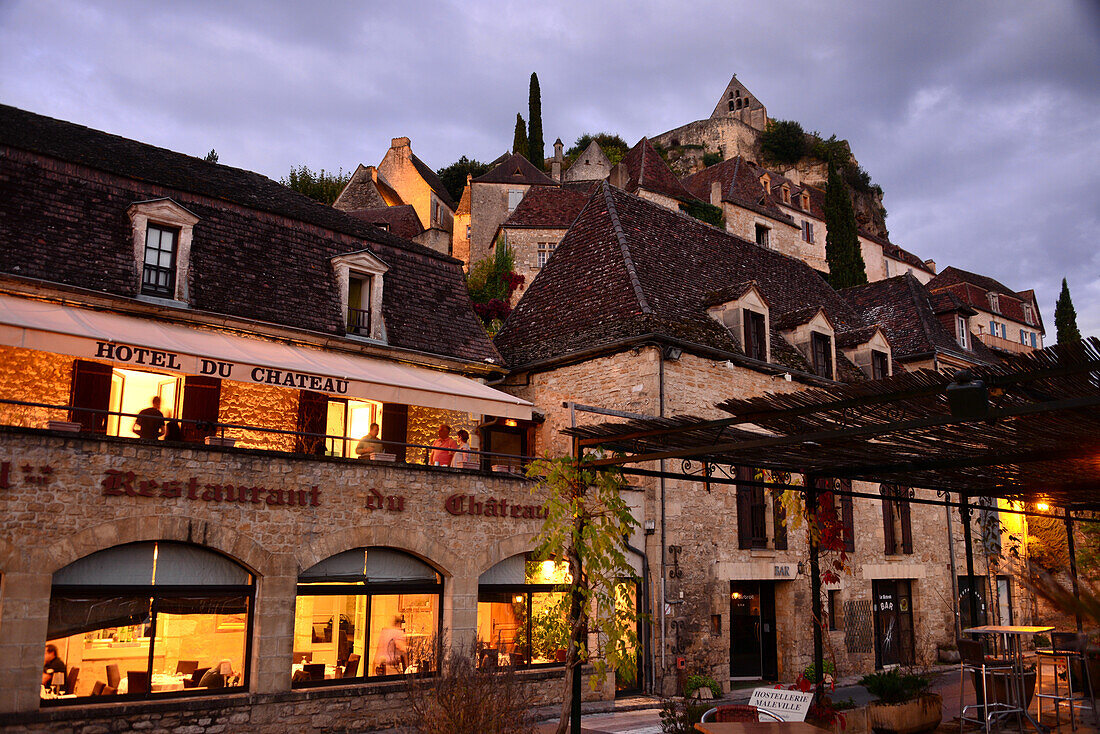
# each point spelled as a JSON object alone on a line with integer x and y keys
{"x": 1028, "y": 430}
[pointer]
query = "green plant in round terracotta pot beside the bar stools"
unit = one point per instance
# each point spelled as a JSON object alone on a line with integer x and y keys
{"x": 904, "y": 704}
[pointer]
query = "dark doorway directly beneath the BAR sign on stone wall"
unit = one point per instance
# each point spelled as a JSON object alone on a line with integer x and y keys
{"x": 753, "y": 643}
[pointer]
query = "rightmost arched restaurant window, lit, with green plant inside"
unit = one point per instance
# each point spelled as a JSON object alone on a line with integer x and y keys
{"x": 523, "y": 620}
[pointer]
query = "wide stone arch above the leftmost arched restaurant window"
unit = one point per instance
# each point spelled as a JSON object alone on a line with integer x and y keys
{"x": 223, "y": 539}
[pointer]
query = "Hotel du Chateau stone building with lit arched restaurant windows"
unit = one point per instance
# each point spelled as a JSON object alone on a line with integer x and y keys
{"x": 246, "y": 572}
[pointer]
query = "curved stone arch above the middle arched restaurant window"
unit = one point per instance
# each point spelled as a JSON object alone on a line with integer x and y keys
{"x": 415, "y": 543}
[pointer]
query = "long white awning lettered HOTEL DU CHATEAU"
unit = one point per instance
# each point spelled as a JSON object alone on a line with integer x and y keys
{"x": 140, "y": 343}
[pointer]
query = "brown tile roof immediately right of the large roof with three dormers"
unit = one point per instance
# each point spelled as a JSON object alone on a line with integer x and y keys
{"x": 905, "y": 309}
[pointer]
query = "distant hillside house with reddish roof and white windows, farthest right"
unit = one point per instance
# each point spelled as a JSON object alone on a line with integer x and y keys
{"x": 1005, "y": 321}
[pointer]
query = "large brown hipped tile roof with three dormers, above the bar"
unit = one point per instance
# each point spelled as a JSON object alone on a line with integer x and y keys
{"x": 630, "y": 268}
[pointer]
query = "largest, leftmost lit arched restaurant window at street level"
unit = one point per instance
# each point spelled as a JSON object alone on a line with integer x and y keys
{"x": 149, "y": 620}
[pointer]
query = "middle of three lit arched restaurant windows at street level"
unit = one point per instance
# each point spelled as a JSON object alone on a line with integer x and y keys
{"x": 366, "y": 614}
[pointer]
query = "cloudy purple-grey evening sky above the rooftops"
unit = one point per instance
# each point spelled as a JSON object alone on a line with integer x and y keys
{"x": 982, "y": 120}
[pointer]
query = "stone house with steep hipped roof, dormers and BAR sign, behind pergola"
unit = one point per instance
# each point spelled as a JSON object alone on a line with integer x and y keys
{"x": 656, "y": 314}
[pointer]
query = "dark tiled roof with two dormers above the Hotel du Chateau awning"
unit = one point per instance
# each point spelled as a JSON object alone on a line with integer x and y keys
{"x": 260, "y": 251}
